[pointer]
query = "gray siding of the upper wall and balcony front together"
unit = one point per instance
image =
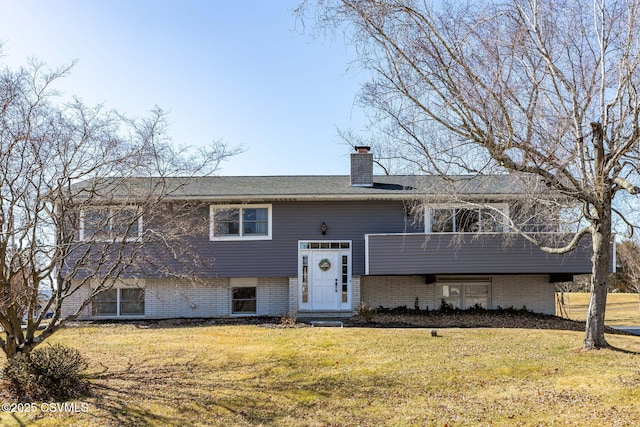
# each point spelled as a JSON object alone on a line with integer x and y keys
{"x": 293, "y": 221}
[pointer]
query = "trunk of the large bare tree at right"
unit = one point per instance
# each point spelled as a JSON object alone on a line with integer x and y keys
{"x": 601, "y": 240}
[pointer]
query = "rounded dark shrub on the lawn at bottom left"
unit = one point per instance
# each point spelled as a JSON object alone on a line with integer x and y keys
{"x": 52, "y": 372}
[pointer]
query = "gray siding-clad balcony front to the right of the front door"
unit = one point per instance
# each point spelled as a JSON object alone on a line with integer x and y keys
{"x": 469, "y": 254}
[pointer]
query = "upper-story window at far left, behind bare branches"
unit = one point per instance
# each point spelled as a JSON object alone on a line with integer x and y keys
{"x": 110, "y": 223}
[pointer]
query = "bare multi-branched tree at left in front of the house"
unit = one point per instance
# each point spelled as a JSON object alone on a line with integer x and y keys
{"x": 74, "y": 184}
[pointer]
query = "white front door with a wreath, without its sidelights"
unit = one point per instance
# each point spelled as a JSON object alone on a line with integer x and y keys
{"x": 325, "y": 280}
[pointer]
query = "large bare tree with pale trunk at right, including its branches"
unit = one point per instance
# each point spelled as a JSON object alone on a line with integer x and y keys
{"x": 546, "y": 89}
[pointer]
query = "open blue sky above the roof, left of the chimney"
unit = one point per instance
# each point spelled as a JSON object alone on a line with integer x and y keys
{"x": 237, "y": 71}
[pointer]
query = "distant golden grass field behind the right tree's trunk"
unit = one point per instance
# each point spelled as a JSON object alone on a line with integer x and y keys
{"x": 622, "y": 309}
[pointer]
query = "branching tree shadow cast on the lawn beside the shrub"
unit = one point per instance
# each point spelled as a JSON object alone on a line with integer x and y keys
{"x": 152, "y": 392}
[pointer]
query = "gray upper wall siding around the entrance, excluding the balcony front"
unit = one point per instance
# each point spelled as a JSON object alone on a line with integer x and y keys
{"x": 292, "y": 221}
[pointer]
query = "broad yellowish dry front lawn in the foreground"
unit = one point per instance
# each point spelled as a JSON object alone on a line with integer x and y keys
{"x": 146, "y": 375}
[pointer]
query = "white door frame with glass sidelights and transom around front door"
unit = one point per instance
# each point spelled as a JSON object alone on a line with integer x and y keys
{"x": 305, "y": 276}
